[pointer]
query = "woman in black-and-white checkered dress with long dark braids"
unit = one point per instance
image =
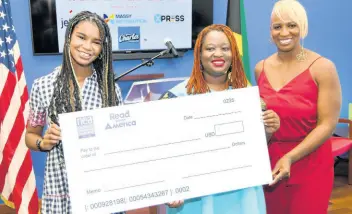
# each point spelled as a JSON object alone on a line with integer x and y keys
{"x": 84, "y": 81}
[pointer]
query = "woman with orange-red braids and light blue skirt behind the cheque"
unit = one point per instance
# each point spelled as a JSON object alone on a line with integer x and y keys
{"x": 217, "y": 67}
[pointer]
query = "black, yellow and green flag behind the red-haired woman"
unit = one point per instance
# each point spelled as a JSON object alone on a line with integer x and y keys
{"x": 236, "y": 20}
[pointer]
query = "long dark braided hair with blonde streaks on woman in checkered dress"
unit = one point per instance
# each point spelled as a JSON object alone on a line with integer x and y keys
{"x": 66, "y": 96}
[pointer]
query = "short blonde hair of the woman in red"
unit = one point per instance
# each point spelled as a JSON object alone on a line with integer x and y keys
{"x": 295, "y": 11}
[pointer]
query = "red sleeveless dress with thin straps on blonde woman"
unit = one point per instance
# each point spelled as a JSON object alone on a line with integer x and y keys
{"x": 309, "y": 187}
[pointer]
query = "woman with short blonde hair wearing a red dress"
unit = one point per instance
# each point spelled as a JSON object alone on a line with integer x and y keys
{"x": 304, "y": 89}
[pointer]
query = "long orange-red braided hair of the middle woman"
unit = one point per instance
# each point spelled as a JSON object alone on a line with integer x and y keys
{"x": 237, "y": 77}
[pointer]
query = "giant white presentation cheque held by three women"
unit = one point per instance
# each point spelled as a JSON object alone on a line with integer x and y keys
{"x": 139, "y": 155}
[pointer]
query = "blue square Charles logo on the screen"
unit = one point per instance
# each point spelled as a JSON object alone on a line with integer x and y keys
{"x": 129, "y": 38}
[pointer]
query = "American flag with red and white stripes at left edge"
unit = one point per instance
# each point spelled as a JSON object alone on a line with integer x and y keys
{"x": 17, "y": 180}
